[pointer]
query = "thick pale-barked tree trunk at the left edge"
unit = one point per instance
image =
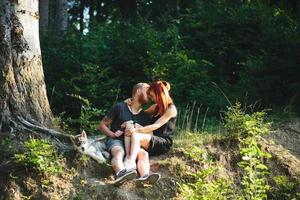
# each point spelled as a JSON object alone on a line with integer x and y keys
{"x": 22, "y": 86}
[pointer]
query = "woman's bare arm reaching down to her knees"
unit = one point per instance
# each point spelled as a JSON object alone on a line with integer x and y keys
{"x": 170, "y": 112}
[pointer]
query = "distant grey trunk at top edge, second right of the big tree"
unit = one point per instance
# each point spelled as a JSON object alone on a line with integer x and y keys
{"x": 62, "y": 15}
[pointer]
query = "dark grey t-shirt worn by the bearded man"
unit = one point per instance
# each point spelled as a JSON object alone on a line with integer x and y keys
{"x": 120, "y": 113}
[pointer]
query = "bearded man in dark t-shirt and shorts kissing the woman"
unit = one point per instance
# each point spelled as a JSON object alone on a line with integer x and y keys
{"x": 117, "y": 116}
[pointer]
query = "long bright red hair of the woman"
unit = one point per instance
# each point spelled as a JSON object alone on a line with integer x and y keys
{"x": 161, "y": 92}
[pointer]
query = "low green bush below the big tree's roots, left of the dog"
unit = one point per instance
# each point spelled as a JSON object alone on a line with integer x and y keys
{"x": 41, "y": 156}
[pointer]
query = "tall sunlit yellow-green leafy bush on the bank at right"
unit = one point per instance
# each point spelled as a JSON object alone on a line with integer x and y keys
{"x": 248, "y": 128}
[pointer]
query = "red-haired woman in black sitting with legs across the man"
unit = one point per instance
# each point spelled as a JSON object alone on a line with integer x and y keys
{"x": 155, "y": 138}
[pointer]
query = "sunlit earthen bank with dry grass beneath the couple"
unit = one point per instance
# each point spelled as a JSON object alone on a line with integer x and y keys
{"x": 83, "y": 178}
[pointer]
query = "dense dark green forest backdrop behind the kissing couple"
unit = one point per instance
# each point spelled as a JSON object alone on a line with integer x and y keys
{"x": 211, "y": 51}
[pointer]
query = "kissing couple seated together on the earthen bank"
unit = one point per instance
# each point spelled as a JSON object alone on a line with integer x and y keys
{"x": 141, "y": 132}
